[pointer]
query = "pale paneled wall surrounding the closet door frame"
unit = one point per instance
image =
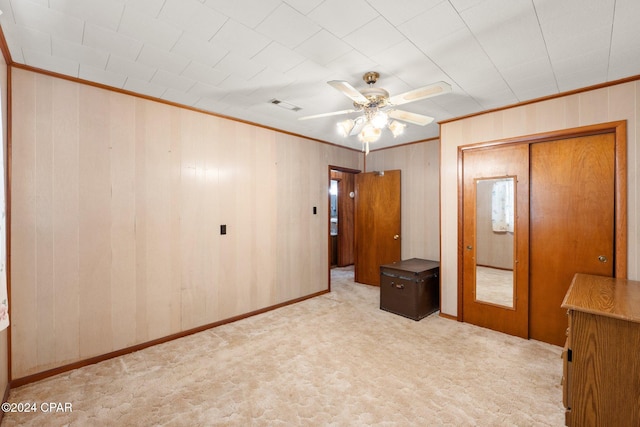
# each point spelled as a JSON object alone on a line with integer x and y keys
{"x": 612, "y": 103}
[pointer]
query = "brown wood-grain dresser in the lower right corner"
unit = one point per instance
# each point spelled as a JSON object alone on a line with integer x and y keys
{"x": 601, "y": 384}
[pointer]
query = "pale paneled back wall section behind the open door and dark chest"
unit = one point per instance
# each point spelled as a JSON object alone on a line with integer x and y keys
{"x": 419, "y": 183}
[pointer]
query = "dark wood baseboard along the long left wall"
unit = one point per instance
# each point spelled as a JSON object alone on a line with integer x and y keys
{"x": 92, "y": 360}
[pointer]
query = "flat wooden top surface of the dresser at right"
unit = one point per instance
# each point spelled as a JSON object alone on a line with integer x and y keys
{"x": 606, "y": 296}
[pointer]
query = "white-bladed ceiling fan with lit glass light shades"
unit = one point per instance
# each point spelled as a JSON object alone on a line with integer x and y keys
{"x": 379, "y": 109}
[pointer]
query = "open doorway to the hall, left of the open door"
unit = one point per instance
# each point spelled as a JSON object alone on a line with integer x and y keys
{"x": 341, "y": 222}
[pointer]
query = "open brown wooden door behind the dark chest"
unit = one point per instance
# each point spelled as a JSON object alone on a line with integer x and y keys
{"x": 377, "y": 223}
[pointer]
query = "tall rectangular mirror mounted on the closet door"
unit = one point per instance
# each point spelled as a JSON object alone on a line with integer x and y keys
{"x": 495, "y": 233}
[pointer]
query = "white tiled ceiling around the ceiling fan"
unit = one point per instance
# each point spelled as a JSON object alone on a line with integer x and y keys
{"x": 232, "y": 57}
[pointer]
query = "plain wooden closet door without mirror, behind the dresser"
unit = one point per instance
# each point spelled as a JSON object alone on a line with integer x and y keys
{"x": 572, "y": 224}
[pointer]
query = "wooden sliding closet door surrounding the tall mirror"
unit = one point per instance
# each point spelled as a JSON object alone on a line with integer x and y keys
{"x": 486, "y": 163}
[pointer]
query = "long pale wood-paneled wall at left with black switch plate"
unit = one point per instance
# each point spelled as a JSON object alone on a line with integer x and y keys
{"x": 117, "y": 203}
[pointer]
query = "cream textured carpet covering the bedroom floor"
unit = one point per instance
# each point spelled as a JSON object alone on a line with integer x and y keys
{"x": 333, "y": 360}
